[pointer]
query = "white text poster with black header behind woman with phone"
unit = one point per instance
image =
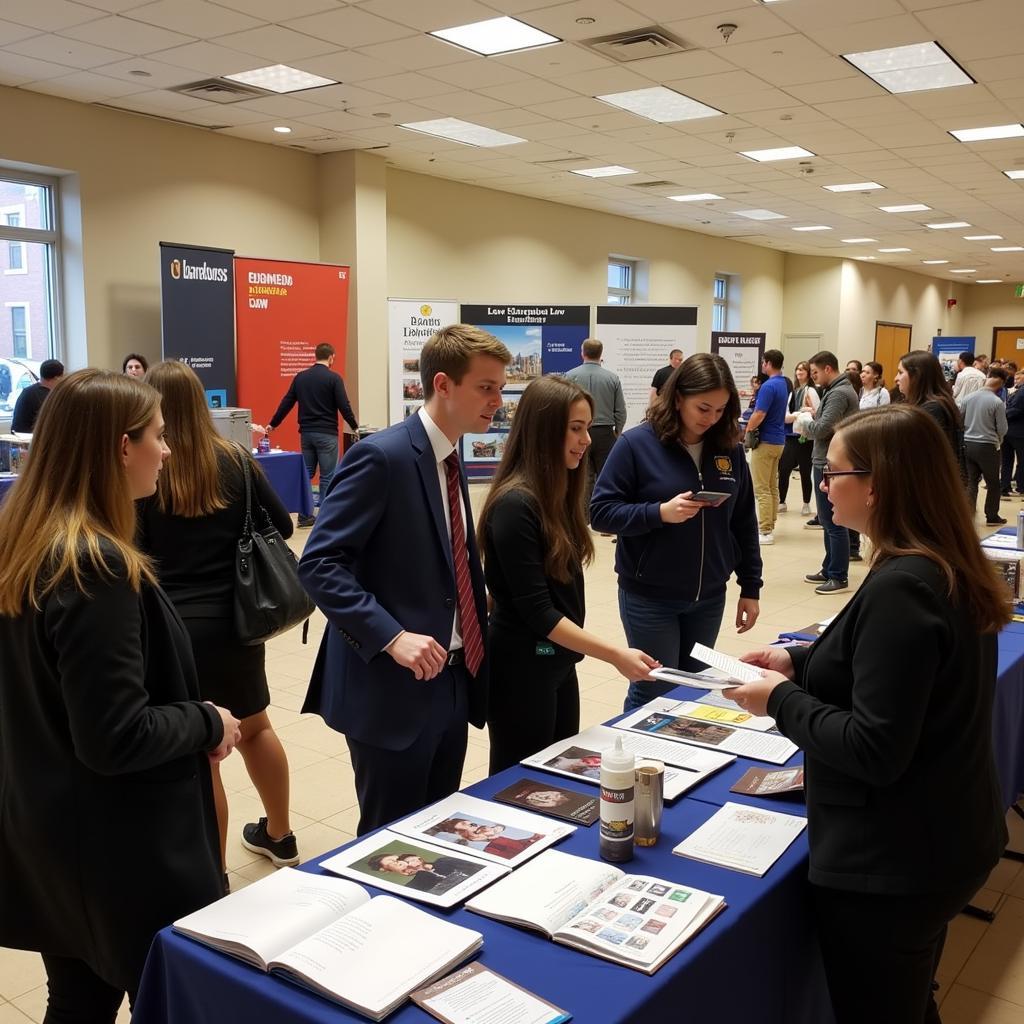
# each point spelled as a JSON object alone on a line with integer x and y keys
{"x": 637, "y": 343}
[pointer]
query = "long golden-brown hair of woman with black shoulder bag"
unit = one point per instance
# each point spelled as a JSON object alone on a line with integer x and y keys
{"x": 190, "y": 484}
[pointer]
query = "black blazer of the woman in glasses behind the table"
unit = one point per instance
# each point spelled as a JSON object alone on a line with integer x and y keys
{"x": 893, "y": 708}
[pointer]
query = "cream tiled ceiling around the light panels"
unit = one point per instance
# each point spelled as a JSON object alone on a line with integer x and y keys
{"x": 780, "y": 81}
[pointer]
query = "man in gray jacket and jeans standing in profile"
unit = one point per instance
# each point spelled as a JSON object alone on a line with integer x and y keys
{"x": 838, "y": 402}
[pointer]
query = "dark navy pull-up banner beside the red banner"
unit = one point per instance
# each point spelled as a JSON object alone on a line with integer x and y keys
{"x": 197, "y": 307}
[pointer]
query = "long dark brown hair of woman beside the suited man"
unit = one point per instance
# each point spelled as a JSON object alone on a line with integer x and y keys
{"x": 535, "y": 463}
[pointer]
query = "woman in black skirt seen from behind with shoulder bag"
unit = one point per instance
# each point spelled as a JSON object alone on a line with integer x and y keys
{"x": 191, "y": 528}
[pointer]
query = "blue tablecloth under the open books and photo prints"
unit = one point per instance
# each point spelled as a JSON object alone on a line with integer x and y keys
{"x": 757, "y": 962}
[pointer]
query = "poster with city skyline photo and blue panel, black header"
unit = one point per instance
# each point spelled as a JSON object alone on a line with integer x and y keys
{"x": 543, "y": 339}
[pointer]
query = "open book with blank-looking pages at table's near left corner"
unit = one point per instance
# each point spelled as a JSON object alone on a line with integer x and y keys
{"x": 328, "y": 935}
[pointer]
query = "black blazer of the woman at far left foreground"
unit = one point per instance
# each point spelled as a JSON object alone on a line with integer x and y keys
{"x": 108, "y": 831}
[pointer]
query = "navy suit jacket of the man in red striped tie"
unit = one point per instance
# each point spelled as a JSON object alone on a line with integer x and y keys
{"x": 379, "y": 562}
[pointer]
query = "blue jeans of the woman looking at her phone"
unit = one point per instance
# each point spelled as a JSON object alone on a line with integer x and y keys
{"x": 667, "y": 630}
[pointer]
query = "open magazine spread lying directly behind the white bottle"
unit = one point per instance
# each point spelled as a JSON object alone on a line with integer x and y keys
{"x": 580, "y": 757}
